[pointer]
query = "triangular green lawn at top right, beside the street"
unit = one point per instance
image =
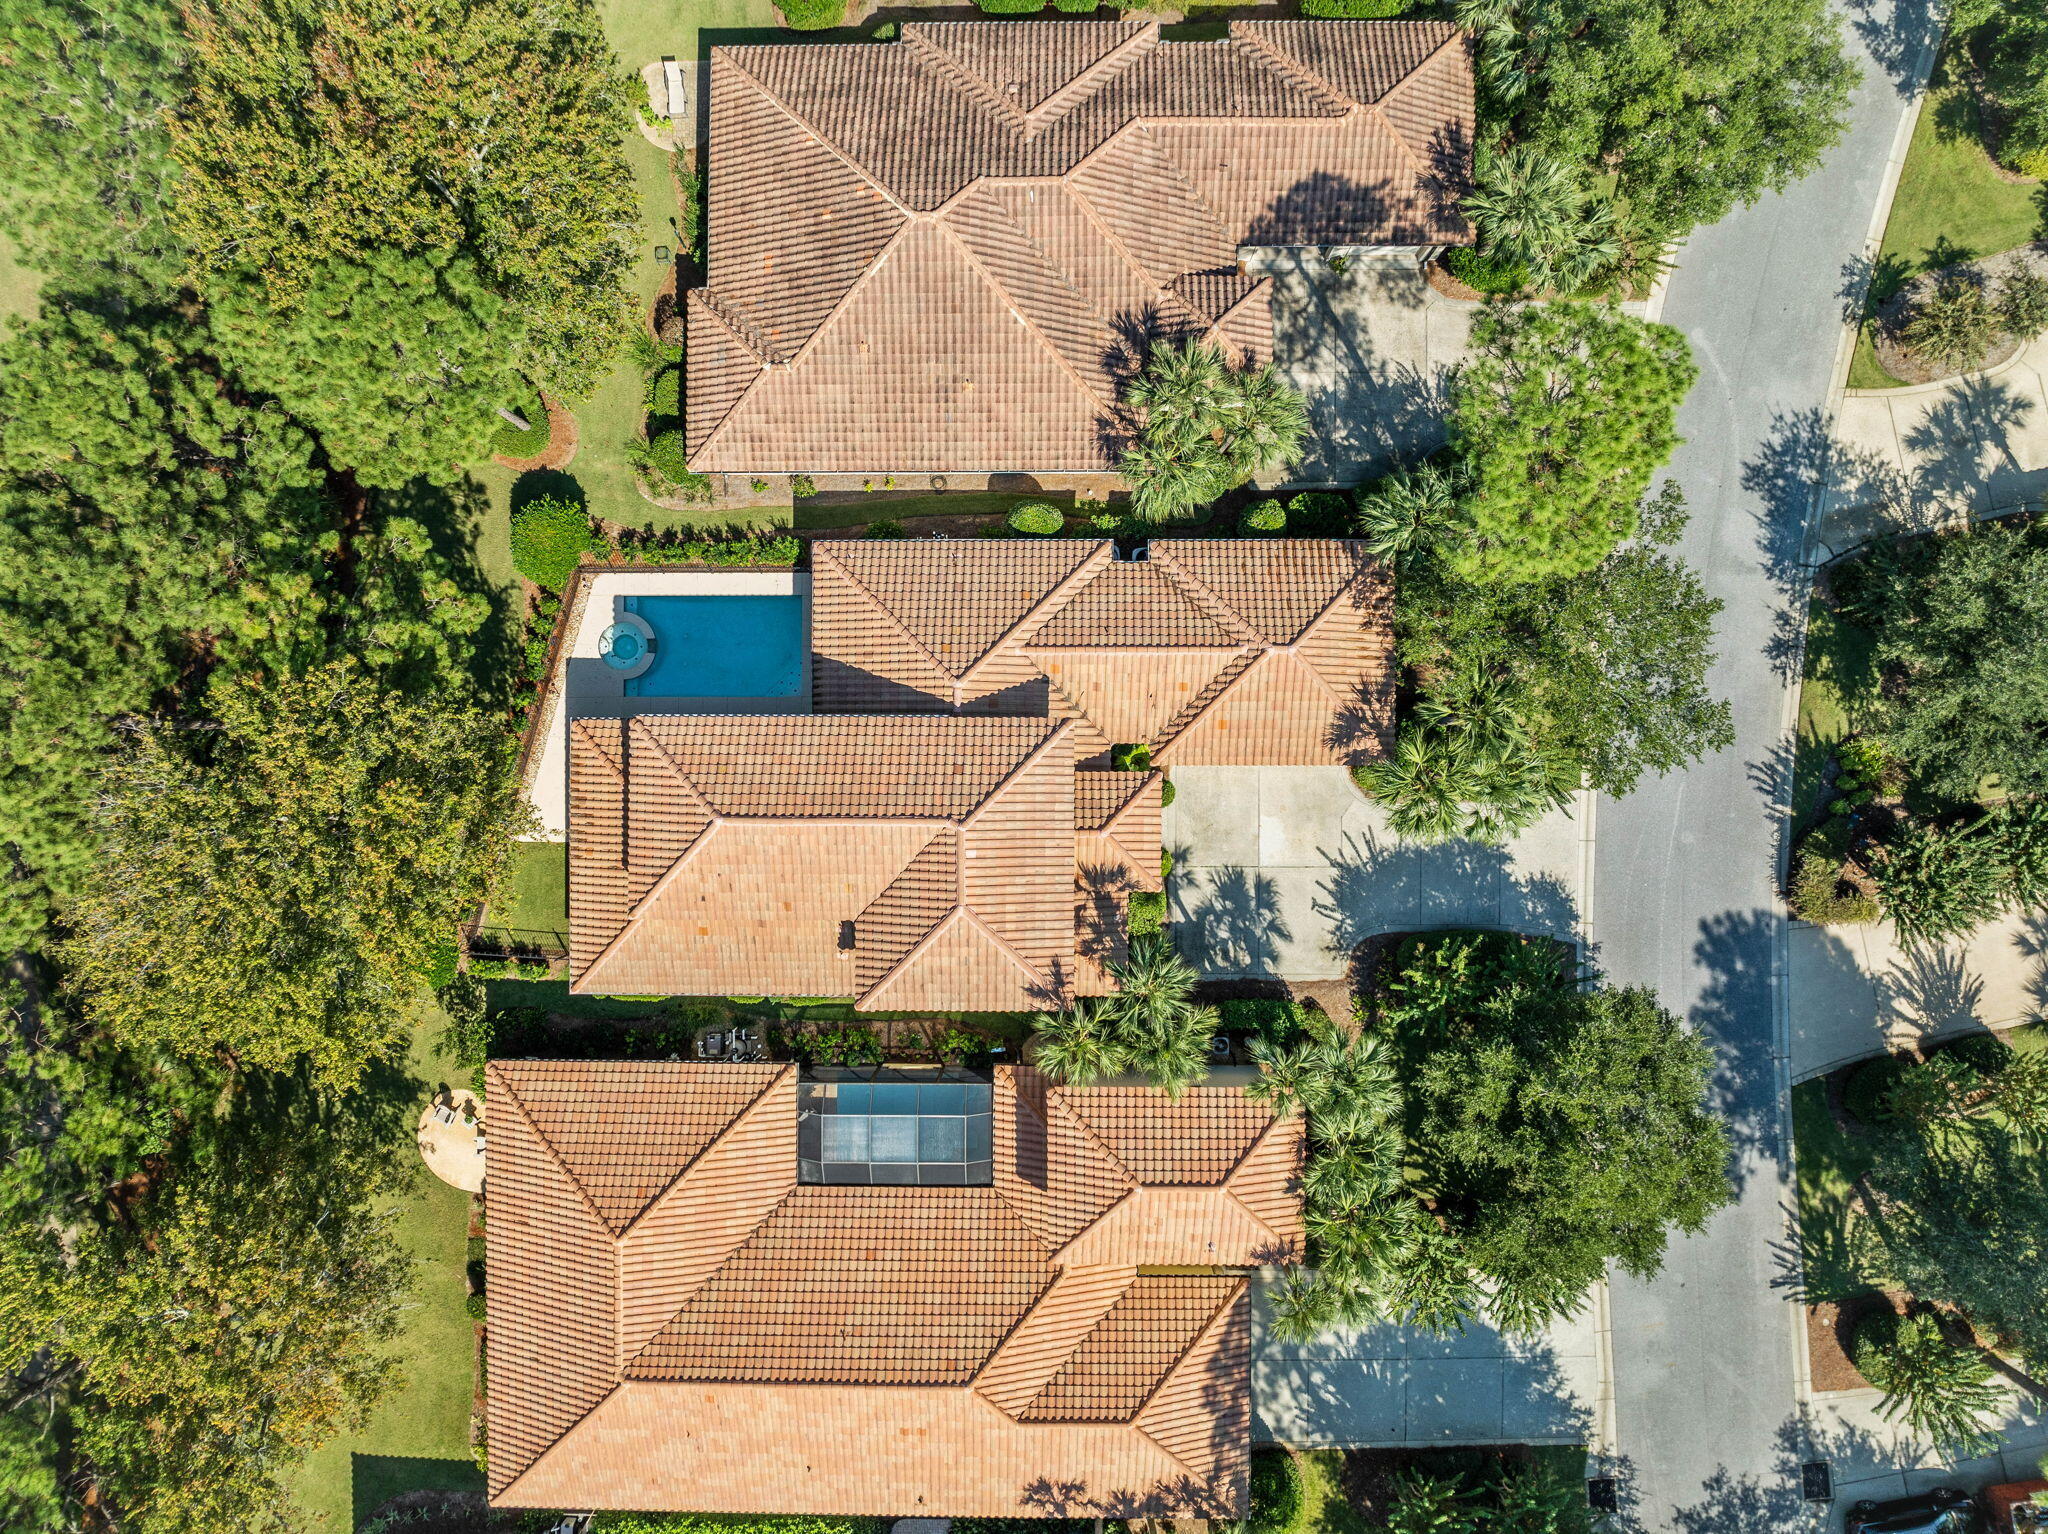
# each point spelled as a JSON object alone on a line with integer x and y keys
{"x": 1951, "y": 206}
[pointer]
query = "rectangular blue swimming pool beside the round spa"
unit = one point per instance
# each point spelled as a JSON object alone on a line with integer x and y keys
{"x": 720, "y": 646}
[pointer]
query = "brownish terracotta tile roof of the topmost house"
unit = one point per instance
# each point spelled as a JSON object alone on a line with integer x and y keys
{"x": 951, "y": 298}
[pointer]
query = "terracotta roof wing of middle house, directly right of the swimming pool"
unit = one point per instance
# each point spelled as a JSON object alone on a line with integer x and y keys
{"x": 1213, "y": 652}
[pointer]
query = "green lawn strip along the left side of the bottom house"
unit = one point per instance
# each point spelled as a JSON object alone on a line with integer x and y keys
{"x": 419, "y": 1435}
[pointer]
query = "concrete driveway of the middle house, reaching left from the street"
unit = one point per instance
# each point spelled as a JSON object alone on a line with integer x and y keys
{"x": 1285, "y": 871}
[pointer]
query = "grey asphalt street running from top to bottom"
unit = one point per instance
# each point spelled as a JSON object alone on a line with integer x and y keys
{"x": 1705, "y": 1361}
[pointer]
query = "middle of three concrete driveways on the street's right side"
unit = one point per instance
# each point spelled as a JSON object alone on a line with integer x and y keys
{"x": 1854, "y": 990}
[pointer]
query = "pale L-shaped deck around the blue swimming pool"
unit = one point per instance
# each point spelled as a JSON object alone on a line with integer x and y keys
{"x": 589, "y": 689}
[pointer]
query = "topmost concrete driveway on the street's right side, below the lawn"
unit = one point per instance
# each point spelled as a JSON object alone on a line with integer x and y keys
{"x": 1938, "y": 450}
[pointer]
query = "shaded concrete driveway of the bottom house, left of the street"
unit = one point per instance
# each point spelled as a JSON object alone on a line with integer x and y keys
{"x": 1385, "y": 1388}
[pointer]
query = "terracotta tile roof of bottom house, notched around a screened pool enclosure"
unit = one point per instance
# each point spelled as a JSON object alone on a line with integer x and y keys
{"x": 749, "y": 1345}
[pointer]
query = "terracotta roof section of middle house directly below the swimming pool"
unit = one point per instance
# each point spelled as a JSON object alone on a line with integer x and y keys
{"x": 910, "y": 861}
